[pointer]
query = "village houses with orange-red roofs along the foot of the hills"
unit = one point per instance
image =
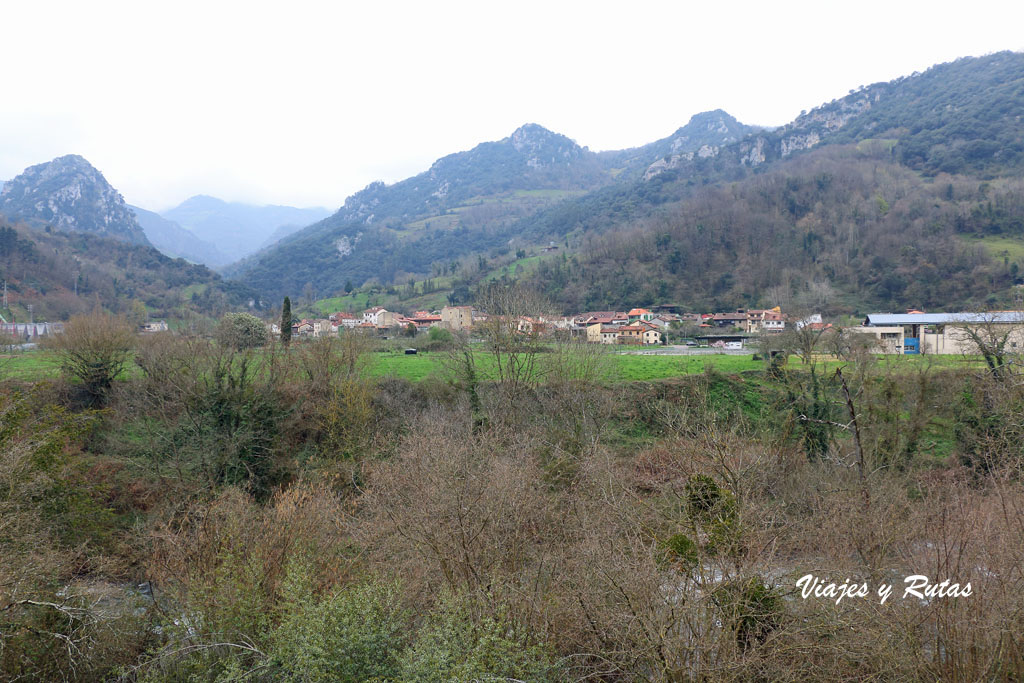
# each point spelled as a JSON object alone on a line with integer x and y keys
{"x": 636, "y": 327}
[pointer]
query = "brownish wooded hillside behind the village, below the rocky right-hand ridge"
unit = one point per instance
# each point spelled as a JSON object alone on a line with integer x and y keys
{"x": 836, "y": 230}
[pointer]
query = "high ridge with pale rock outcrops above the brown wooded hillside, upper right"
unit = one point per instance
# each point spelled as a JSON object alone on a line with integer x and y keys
{"x": 961, "y": 117}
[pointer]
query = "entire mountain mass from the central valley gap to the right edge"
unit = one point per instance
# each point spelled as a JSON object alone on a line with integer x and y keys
{"x": 952, "y": 139}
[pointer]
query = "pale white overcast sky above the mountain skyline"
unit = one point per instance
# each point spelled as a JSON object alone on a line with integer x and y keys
{"x": 306, "y": 103}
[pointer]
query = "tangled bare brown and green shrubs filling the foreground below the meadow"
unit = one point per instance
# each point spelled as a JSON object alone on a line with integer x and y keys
{"x": 274, "y": 515}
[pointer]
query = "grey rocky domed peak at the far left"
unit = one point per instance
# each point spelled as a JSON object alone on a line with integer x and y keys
{"x": 69, "y": 194}
